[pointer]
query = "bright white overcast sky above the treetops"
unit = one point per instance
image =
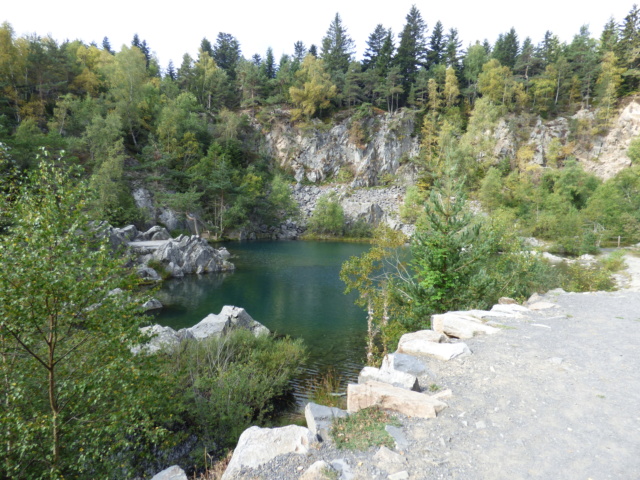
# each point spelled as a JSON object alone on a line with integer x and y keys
{"x": 177, "y": 28}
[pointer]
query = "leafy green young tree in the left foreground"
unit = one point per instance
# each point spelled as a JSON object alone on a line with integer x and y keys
{"x": 74, "y": 399}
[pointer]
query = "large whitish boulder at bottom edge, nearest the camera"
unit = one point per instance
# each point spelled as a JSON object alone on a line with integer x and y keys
{"x": 257, "y": 446}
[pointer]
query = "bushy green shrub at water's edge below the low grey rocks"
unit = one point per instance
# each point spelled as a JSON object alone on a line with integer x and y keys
{"x": 221, "y": 386}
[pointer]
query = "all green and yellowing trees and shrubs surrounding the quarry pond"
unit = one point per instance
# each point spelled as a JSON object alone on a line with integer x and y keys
{"x": 82, "y": 126}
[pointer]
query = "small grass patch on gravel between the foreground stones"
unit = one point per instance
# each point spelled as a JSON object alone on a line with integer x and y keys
{"x": 363, "y": 429}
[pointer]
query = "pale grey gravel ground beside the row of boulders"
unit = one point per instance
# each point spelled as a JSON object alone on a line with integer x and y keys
{"x": 554, "y": 395}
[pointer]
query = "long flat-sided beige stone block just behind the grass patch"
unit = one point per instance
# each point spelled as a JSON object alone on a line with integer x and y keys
{"x": 388, "y": 397}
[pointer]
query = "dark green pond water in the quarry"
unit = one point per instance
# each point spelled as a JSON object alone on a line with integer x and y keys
{"x": 290, "y": 287}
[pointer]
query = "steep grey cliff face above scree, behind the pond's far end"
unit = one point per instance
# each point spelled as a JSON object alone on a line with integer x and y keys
{"x": 321, "y": 155}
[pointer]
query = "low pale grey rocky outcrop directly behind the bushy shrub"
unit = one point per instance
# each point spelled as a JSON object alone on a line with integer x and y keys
{"x": 212, "y": 325}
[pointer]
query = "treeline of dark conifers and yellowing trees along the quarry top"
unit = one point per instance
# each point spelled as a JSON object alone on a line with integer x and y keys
{"x": 186, "y": 131}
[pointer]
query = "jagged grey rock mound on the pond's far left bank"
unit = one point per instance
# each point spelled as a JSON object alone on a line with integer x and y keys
{"x": 185, "y": 255}
